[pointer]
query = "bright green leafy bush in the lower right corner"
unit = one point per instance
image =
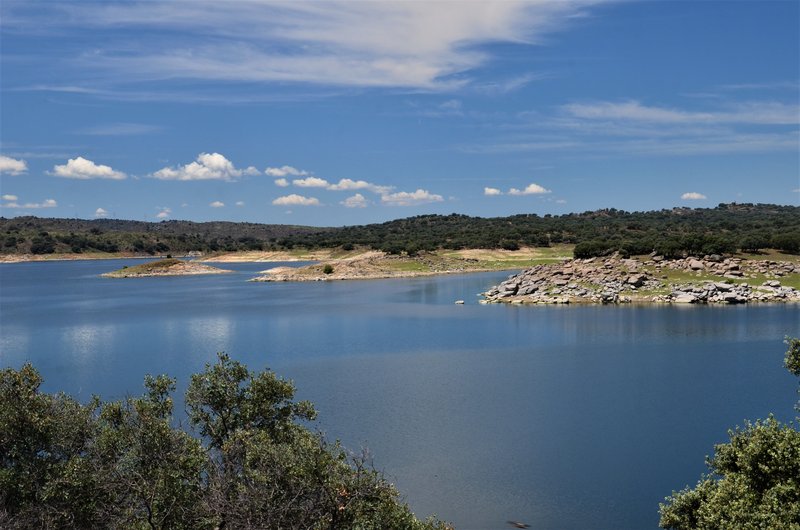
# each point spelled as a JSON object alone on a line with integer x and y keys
{"x": 754, "y": 480}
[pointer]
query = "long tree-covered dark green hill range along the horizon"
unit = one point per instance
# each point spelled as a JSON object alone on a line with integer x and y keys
{"x": 726, "y": 228}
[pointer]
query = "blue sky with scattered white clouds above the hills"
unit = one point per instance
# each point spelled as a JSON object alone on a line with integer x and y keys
{"x": 335, "y": 113}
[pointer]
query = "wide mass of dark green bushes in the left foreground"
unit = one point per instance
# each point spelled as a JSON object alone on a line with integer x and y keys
{"x": 124, "y": 464}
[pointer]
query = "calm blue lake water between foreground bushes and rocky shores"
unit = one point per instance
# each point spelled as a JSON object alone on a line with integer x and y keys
{"x": 564, "y": 417}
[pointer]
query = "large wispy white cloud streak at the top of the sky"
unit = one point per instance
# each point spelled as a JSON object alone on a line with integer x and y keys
{"x": 424, "y": 45}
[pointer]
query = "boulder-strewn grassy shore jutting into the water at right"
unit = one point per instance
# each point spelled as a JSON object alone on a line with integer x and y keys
{"x": 614, "y": 280}
